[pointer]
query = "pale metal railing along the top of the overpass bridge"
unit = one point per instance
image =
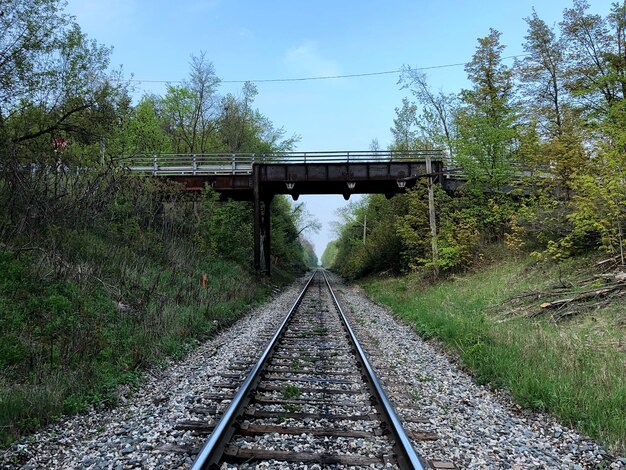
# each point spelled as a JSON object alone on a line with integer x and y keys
{"x": 241, "y": 163}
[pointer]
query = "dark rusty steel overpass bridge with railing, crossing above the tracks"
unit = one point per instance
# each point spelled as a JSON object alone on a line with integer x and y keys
{"x": 259, "y": 177}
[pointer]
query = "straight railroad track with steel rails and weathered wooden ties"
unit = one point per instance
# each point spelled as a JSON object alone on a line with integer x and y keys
{"x": 311, "y": 398}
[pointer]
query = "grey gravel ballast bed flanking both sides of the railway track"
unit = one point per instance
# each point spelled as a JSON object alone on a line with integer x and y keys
{"x": 474, "y": 427}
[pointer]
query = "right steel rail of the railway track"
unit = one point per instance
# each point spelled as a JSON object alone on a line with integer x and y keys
{"x": 408, "y": 456}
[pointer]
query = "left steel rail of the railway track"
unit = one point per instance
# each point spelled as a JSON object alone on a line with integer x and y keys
{"x": 212, "y": 450}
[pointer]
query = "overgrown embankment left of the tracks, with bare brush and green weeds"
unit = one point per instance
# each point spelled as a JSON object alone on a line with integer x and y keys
{"x": 116, "y": 275}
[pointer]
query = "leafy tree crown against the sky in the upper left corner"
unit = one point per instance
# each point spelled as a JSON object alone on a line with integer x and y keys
{"x": 56, "y": 86}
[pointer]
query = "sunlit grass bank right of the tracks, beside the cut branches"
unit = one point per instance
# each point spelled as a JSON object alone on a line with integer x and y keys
{"x": 574, "y": 369}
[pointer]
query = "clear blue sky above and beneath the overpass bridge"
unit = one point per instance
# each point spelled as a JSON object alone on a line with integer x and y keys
{"x": 153, "y": 41}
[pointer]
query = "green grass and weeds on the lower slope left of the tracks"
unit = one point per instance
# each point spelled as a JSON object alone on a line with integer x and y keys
{"x": 71, "y": 338}
